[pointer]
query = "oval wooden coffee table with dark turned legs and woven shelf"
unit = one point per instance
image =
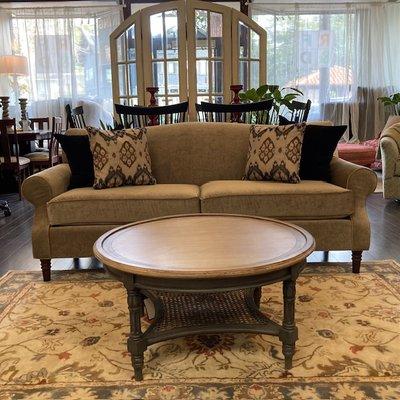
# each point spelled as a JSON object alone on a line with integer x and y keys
{"x": 203, "y": 273}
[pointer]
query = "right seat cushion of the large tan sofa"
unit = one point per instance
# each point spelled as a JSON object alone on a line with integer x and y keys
{"x": 305, "y": 200}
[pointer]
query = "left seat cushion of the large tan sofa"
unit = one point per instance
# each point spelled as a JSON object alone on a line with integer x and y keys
{"x": 88, "y": 206}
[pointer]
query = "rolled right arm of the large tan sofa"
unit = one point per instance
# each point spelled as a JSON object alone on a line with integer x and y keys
{"x": 361, "y": 180}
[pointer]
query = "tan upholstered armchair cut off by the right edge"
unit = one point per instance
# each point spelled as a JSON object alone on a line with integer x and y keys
{"x": 390, "y": 150}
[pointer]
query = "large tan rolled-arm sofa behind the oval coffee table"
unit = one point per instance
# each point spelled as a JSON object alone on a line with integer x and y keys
{"x": 198, "y": 167}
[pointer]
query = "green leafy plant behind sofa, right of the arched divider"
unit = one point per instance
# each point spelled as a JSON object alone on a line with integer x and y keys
{"x": 283, "y": 98}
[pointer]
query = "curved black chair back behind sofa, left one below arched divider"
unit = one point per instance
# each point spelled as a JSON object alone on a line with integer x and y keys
{"x": 140, "y": 116}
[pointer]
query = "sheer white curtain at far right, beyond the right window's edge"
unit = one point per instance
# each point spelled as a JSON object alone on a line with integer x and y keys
{"x": 376, "y": 66}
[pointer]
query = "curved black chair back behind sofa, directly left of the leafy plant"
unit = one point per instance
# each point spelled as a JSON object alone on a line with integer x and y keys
{"x": 247, "y": 113}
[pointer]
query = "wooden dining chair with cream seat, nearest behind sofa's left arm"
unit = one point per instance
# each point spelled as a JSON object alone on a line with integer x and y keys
{"x": 46, "y": 159}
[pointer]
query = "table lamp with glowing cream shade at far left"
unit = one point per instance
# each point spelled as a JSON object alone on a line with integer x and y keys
{"x": 15, "y": 66}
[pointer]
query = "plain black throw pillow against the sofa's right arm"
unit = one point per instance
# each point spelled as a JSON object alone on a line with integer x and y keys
{"x": 319, "y": 144}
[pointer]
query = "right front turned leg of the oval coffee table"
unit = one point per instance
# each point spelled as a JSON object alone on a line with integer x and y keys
{"x": 288, "y": 334}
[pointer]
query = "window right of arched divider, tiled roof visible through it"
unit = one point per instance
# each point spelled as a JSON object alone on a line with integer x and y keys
{"x": 312, "y": 52}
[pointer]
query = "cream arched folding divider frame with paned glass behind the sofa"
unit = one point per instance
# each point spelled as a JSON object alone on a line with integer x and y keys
{"x": 186, "y": 45}
